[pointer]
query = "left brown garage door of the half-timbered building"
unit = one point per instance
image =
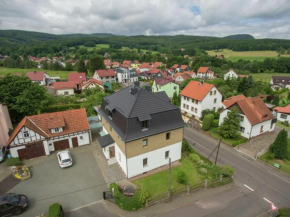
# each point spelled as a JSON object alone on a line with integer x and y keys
{"x": 31, "y": 151}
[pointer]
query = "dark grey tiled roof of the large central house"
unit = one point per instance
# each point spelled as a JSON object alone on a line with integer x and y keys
{"x": 131, "y": 109}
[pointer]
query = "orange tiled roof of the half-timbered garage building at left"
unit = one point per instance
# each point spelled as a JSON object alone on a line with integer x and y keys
{"x": 72, "y": 121}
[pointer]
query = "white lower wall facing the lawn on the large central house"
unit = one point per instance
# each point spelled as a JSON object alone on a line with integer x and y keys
{"x": 155, "y": 159}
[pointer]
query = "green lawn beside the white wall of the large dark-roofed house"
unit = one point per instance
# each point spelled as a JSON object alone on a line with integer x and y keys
{"x": 158, "y": 183}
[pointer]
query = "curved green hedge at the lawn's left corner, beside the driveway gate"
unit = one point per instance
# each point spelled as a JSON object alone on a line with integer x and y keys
{"x": 129, "y": 203}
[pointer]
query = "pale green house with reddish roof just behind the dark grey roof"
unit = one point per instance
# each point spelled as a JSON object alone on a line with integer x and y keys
{"x": 165, "y": 84}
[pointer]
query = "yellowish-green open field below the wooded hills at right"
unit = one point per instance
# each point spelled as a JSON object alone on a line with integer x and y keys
{"x": 246, "y": 55}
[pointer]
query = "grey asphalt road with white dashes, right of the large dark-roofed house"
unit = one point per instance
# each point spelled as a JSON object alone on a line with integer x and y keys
{"x": 258, "y": 183}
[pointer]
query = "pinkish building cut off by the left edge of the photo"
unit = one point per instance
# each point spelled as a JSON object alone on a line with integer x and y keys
{"x": 5, "y": 125}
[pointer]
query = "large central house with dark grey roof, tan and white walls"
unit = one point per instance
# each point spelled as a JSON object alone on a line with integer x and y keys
{"x": 143, "y": 130}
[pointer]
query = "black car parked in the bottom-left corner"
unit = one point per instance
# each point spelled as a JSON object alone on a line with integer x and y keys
{"x": 12, "y": 204}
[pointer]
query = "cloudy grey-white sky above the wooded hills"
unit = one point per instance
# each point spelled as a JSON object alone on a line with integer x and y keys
{"x": 260, "y": 18}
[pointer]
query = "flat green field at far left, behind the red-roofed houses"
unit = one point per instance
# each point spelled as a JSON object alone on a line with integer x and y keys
{"x": 61, "y": 74}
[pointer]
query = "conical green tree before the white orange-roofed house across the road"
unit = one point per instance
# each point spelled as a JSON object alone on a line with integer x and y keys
{"x": 231, "y": 125}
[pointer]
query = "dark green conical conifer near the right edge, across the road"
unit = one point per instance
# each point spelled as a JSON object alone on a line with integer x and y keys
{"x": 279, "y": 147}
